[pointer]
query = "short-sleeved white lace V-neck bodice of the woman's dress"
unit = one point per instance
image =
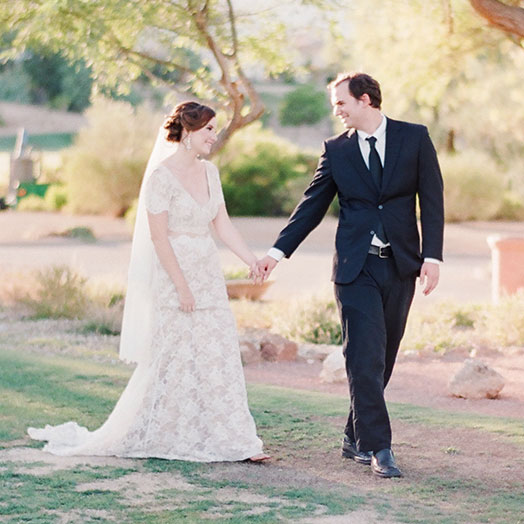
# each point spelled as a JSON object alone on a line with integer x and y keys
{"x": 164, "y": 192}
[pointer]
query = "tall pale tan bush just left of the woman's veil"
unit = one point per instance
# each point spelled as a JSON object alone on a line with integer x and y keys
{"x": 104, "y": 168}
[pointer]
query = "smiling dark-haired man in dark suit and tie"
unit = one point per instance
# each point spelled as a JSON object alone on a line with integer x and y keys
{"x": 377, "y": 171}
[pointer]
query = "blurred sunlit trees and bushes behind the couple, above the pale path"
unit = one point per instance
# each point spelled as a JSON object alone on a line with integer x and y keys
{"x": 91, "y": 81}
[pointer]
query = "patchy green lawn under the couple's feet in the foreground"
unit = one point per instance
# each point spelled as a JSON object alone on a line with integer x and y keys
{"x": 306, "y": 477}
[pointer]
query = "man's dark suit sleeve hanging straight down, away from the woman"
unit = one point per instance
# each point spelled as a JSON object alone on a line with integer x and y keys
{"x": 431, "y": 199}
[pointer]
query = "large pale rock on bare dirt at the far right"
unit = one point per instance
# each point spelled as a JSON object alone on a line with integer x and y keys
{"x": 476, "y": 380}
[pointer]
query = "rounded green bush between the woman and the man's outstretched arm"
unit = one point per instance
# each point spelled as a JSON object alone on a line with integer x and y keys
{"x": 262, "y": 174}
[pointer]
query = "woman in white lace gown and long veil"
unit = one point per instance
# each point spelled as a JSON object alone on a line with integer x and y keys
{"x": 186, "y": 399}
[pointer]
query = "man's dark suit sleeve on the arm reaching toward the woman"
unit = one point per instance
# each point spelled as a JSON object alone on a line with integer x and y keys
{"x": 311, "y": 208}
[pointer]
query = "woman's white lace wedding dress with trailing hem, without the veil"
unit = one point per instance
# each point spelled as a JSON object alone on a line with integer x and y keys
{"x": 189, "y": 402}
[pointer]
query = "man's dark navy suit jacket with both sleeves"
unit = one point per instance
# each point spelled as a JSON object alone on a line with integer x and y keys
{"x": 411, "y": 169}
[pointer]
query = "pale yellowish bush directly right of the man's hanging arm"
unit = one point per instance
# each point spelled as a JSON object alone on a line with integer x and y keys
{"x": 475, "y": 188}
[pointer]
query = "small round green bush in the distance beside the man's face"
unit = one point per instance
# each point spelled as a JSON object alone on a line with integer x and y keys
{"x": 304, "y": 105}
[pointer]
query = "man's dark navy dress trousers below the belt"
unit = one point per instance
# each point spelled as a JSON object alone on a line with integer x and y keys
{"x": 373, "y": 310}
